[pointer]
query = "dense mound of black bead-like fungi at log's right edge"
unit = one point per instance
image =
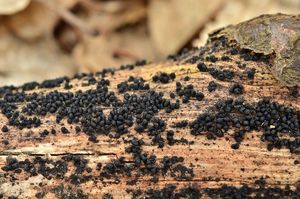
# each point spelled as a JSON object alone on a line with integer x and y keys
{"x": 269, "y": 117}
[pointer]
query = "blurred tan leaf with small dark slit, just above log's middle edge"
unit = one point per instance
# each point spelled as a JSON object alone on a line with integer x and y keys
{"x": 95, "y": 53}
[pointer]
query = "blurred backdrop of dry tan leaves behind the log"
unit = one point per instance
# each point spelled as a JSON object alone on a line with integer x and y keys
{"x": 42, "y": 39}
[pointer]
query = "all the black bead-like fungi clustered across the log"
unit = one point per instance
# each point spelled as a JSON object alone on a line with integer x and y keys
{"x": 85, "y": 110}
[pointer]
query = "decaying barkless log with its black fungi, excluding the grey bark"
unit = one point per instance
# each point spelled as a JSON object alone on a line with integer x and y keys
{"x": 235, "y": 134}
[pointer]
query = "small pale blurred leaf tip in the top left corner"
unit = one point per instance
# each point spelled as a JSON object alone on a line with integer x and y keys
{"x": 8, "y": 7}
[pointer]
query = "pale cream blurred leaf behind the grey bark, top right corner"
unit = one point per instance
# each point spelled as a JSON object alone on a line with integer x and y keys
{"x": 235, "y": 11}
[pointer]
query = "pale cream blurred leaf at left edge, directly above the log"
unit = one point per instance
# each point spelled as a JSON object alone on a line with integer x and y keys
{"x": 22, "y": 62}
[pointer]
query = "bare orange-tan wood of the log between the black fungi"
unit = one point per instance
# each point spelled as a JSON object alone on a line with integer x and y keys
{"x": 213, "y": 161}
